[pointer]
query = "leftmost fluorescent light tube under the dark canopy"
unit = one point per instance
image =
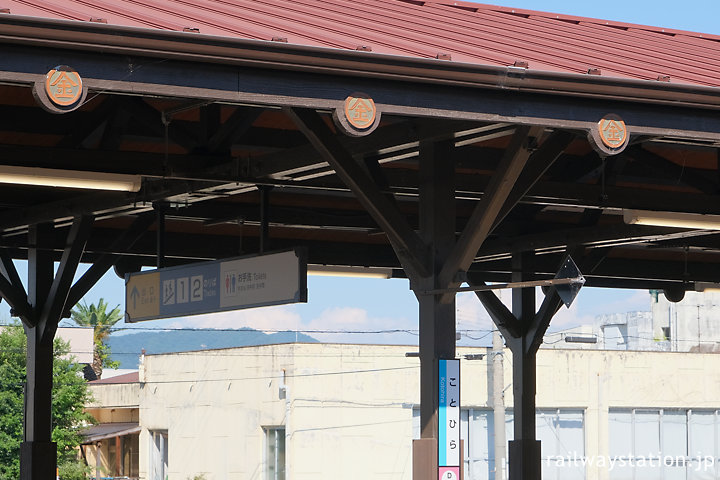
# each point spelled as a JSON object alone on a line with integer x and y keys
{"x": 50, "y": 177}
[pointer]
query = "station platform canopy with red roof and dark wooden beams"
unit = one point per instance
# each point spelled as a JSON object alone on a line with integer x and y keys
{"x": 206, "y": 108}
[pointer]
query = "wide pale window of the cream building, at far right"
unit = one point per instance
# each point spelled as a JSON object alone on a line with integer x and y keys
{"x": 668, "y": 444}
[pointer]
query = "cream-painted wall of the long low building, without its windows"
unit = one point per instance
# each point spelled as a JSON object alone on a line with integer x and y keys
{"x": 348, "y": 408}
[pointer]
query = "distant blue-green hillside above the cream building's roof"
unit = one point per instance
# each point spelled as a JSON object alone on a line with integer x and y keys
{"x": 127, "y": 348}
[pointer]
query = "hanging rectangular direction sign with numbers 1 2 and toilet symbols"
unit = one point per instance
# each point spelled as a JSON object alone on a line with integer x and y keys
{"x": 232, "y": 284}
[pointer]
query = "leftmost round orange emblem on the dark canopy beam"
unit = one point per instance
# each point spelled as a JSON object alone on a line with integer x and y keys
{"x": 61, "y": 91}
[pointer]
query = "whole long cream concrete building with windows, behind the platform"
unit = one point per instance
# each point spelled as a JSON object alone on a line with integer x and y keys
{"x": 308, "y": 411}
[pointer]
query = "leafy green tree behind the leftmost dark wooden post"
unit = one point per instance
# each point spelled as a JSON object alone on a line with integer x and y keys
{"x": 70, "y": 394}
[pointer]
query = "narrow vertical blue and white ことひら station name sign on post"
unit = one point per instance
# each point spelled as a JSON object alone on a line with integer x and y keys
{"x": 449, "y": 419}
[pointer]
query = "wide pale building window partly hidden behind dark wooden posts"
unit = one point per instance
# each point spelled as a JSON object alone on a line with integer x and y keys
{"x": 561, "y": 432}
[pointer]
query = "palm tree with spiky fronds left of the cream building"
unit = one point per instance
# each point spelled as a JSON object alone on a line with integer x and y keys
{"x": 102, "y": 321}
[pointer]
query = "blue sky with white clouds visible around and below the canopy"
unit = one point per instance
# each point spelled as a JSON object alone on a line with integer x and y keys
{"x": 364, "y": 305}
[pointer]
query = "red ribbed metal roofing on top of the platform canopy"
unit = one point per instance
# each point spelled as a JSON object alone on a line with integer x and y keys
{"x": 468, "y": 32}
